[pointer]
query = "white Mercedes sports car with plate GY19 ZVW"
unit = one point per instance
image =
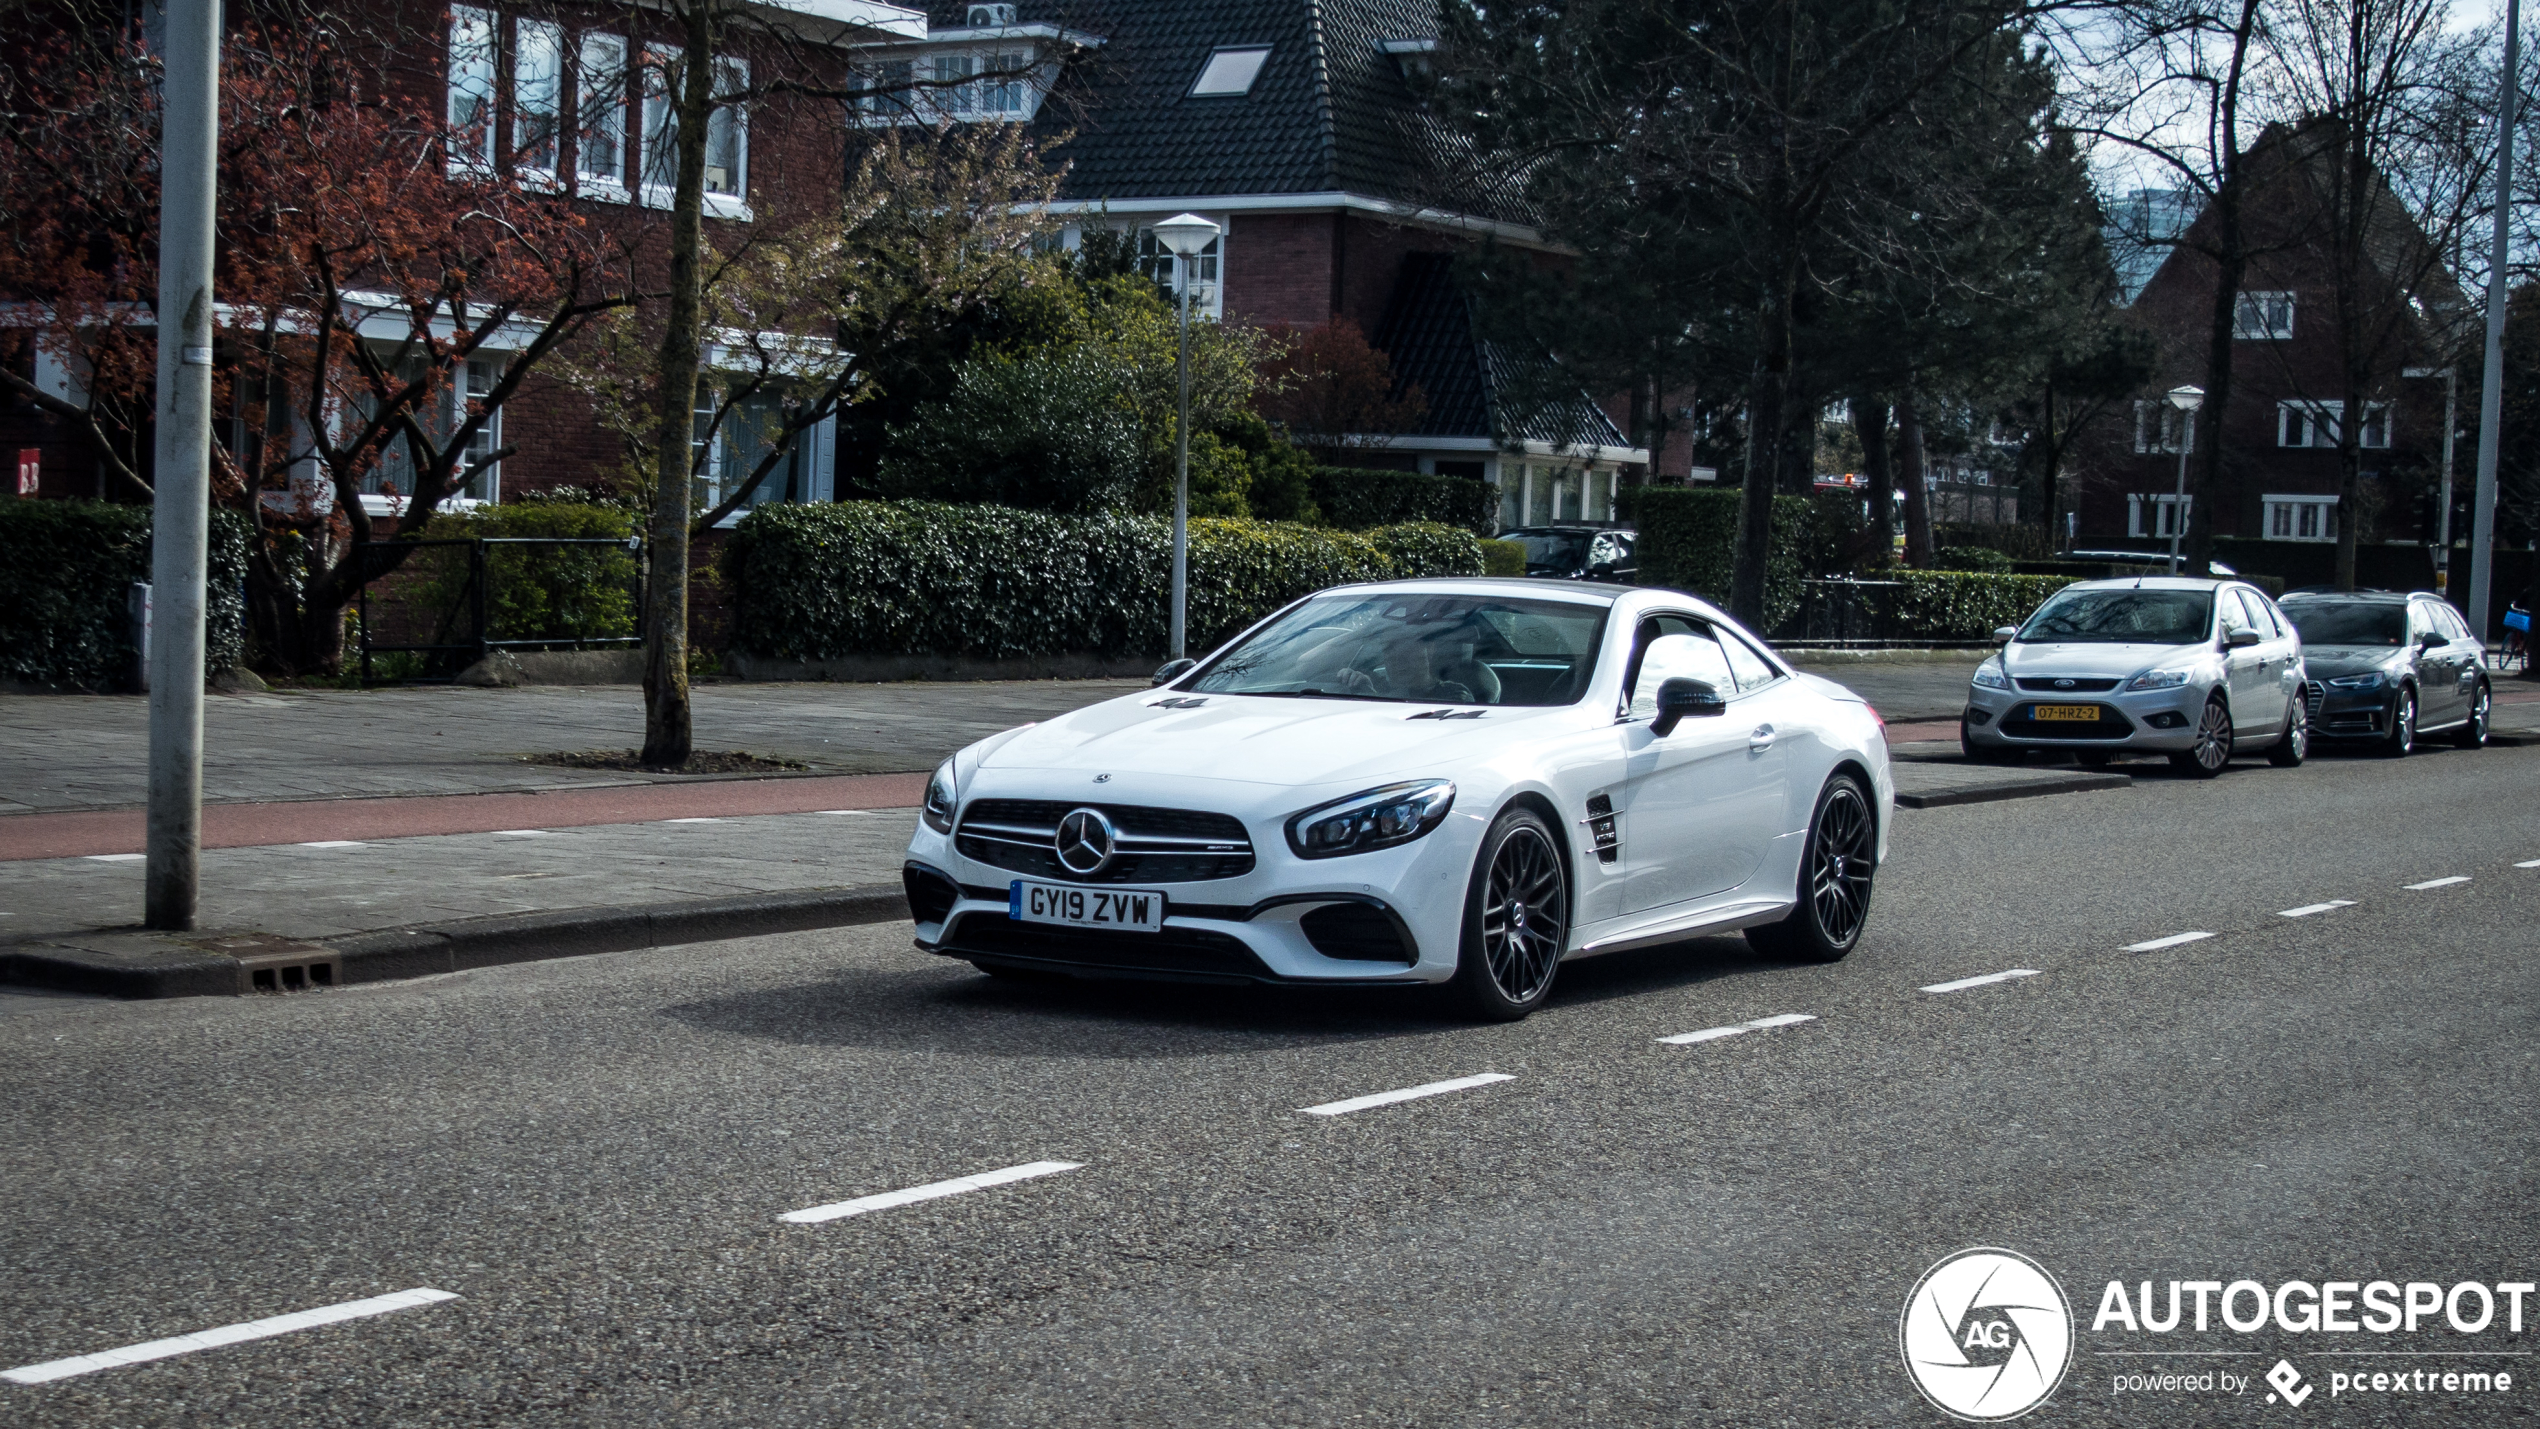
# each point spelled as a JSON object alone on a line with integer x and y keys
{"x": 1457, "y": 780}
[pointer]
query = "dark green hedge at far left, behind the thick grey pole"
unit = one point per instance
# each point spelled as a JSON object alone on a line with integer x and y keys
{"x": 65, "y": 570}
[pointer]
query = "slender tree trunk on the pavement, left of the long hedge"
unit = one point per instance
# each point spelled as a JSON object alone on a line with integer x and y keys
{"x": 667, "y": 727}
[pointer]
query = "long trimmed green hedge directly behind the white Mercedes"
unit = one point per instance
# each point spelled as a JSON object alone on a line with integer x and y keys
{"x": 814, "y": 583}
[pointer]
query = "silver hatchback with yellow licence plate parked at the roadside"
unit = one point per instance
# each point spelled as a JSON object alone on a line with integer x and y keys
{"x": 2160, "y": 664}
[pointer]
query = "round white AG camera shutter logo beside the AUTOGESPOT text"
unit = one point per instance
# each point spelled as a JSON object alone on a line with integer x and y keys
{"x": 1988, "y": 1334}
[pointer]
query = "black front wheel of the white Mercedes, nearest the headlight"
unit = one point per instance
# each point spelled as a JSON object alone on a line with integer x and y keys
{"x": 1515, "y": 923}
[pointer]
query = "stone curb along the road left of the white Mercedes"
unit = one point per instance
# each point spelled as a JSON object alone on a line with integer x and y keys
{"x": 166, "y": 966}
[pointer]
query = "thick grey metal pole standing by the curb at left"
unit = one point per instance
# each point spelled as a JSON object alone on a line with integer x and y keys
{"x": 182, "y": 463}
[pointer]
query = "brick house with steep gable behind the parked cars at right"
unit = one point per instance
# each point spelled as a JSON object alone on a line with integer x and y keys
{"x": 2280, "y": 433}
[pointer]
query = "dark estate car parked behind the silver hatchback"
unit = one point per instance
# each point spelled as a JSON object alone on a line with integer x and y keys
{"x": 2389, "y": 669}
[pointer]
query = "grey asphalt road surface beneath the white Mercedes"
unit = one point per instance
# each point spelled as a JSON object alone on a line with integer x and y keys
{"x": 593, "y": 1156}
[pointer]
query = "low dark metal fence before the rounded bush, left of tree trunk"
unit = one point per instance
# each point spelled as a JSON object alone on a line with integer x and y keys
{"x": 436, "y": 608}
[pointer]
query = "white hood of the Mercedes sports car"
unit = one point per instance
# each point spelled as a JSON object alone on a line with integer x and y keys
{"x": 1271, "y": 742}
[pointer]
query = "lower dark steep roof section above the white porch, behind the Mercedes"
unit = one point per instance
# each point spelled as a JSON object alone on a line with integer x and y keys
{"x": 1477, "y": 387}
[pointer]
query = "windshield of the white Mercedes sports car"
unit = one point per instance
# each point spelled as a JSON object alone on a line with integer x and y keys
{"x": 1457, "y": 651}
